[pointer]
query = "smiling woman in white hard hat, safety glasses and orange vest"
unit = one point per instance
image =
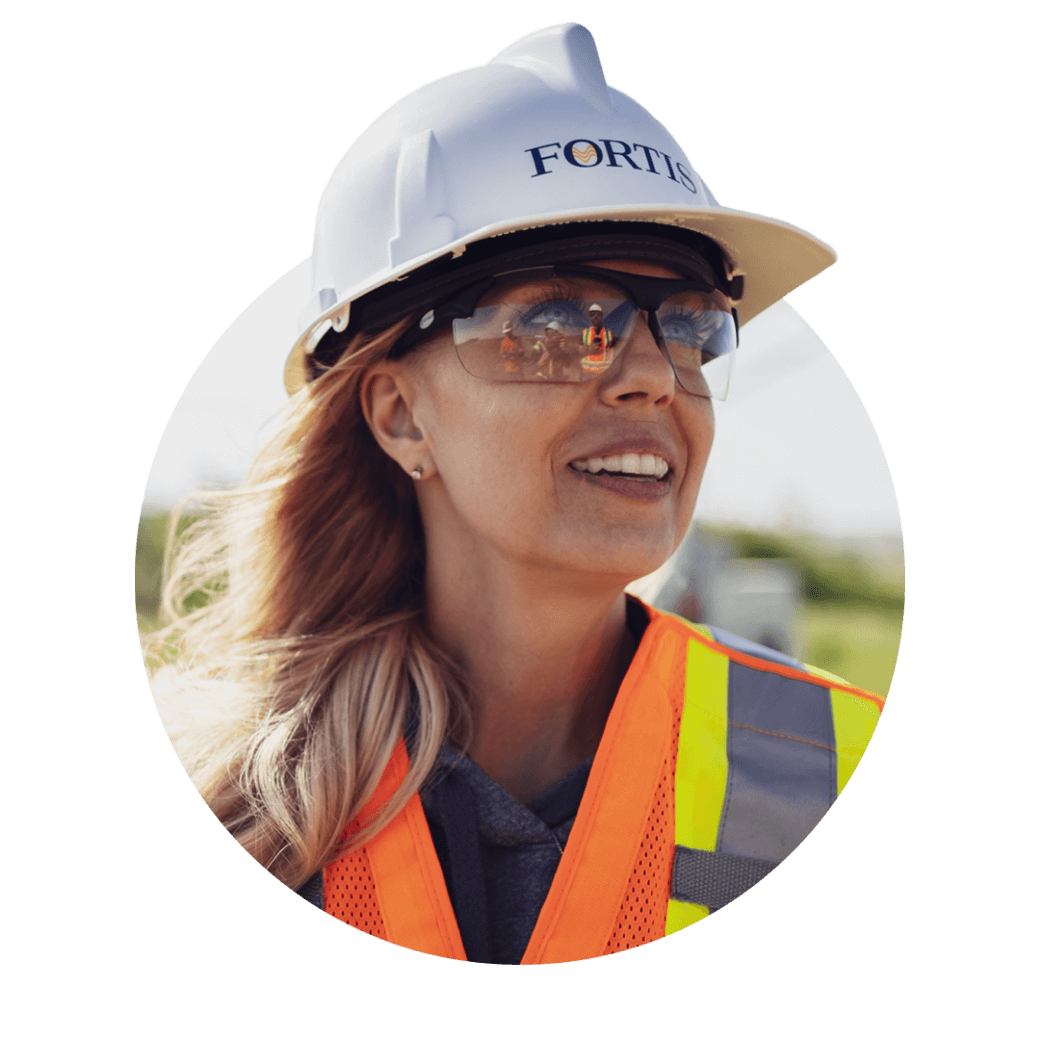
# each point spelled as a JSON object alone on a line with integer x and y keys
{"x": 435, "y": 712}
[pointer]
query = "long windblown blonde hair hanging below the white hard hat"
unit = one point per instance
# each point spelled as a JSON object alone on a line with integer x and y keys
{"x": 288, "y": 692}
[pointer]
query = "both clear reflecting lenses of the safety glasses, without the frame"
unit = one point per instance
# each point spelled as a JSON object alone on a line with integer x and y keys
{"x": 573, "y": 331}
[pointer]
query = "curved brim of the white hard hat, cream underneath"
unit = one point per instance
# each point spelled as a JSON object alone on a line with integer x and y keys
{"x": 774, "y": 256}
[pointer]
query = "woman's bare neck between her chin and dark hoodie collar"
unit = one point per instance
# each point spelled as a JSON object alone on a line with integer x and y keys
{"x": 545, "y": 658}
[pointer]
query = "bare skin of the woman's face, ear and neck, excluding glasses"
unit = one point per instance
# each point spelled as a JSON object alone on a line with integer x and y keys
{"x": 491, "y": 451}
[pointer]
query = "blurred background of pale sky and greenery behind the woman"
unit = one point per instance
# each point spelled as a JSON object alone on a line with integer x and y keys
{"x": 797, "y": 540}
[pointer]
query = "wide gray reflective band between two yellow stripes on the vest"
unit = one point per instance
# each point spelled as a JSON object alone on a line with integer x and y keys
{"x": 783, "y": 764}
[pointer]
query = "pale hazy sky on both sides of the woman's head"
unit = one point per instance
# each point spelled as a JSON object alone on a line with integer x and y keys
{"x": 795, "y": 446}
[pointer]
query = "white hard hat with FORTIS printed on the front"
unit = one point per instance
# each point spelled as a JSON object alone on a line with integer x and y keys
{"x": 535, "y": 139}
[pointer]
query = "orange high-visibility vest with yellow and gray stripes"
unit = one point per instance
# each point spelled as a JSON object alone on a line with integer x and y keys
{"x": 760, "y": 747}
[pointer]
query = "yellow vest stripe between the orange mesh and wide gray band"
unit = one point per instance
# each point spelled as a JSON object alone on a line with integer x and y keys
{"x": 701, "y": 769}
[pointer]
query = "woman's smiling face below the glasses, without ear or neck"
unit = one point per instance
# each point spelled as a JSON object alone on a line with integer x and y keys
{"x": 507, "y": 480}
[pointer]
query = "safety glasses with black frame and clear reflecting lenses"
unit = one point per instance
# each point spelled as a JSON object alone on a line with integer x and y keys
{"x": 571, "y": 323}
